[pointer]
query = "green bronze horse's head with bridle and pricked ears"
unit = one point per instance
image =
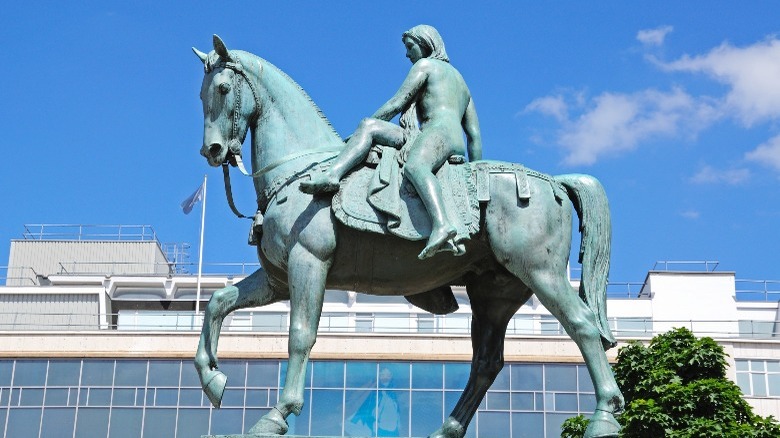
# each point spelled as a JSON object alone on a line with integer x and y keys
{"x": 230, "y": 102}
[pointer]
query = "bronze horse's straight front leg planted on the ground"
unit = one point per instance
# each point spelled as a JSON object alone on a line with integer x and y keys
{"x": 306, "y": 275}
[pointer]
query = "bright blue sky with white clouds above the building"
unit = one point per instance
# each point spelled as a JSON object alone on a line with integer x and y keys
{"x": 673, "y": 105}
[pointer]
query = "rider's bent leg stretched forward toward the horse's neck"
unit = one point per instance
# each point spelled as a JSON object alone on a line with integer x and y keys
{"x": 369, "y": 132}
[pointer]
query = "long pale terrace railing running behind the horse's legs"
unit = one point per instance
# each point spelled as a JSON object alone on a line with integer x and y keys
{"x": 446, "y": 325}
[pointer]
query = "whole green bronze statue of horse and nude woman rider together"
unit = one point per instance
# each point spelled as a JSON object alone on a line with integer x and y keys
{"x": 400, "y": 210}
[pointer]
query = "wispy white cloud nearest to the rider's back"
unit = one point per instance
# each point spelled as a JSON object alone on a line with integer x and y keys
{"x": 615, "y": 122}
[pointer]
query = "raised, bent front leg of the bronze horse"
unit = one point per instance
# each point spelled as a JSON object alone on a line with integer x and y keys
{"x": 252, "y": 291}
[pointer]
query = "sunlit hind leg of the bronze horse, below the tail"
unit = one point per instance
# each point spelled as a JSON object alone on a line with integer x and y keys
{"x": 557, "y": 295}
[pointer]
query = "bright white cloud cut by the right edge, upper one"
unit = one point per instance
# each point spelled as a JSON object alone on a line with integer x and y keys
{"x": 752, "y": 74}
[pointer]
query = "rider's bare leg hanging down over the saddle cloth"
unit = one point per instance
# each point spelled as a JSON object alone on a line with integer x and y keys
{"x": 424, "y": 158}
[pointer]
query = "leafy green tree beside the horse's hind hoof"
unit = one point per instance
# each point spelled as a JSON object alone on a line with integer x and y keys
{"x": 676, "y": 387}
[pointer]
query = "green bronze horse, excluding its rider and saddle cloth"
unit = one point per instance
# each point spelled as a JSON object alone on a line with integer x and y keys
{"x": 522, "y": 246}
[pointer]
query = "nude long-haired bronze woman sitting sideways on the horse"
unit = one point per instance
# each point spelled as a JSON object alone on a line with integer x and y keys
{"x": 436, "y": 92}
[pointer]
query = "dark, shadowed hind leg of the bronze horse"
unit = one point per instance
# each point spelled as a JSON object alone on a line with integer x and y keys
{"x": 494, "y": 300}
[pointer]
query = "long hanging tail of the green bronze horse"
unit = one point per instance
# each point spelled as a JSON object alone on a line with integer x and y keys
{"x": 590, "y": 202}
